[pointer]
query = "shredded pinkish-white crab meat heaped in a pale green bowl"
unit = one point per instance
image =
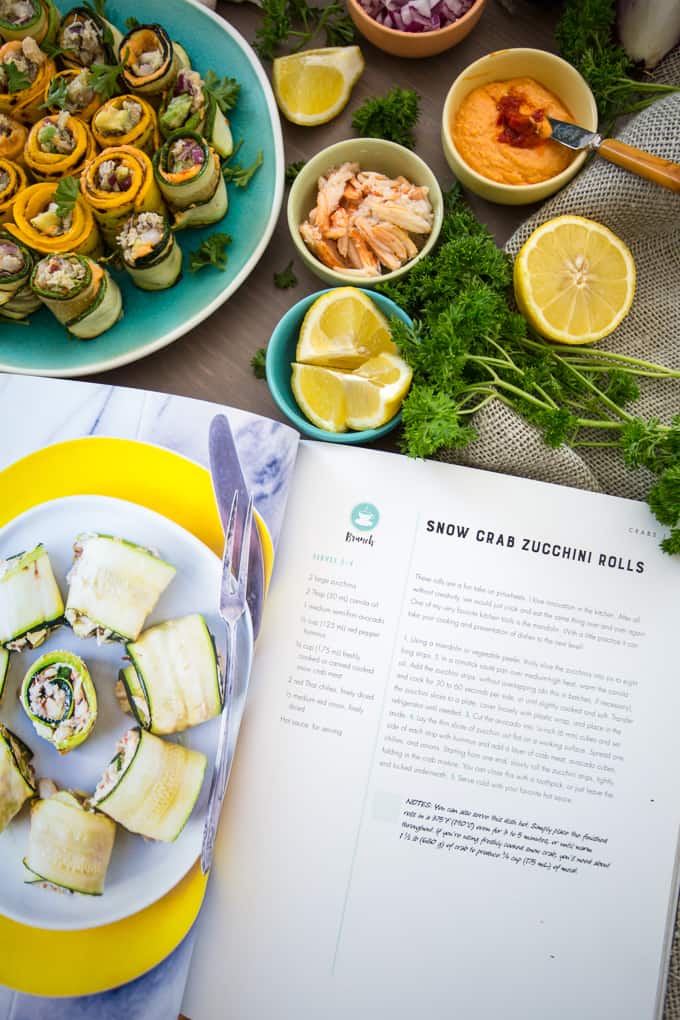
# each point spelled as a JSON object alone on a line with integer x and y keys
{"x": 363, "y": 221}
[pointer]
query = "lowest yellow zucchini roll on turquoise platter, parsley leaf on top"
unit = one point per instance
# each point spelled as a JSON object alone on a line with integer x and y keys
{"x": 38, "y": 225}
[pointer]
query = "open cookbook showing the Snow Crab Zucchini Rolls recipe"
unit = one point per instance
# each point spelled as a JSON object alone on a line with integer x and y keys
{"x": 455, "y": 786}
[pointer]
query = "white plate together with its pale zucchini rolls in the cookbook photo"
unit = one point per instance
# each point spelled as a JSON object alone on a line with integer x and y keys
{"x": 111, "y": 681}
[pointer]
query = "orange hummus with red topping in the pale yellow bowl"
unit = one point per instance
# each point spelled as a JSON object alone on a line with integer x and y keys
{"x": 502, "y": 132}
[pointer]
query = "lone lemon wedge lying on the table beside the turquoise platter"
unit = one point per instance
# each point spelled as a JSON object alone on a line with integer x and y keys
{"x": 313, "y": 87}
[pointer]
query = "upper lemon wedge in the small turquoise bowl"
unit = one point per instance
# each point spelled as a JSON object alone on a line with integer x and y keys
{"x": 343, "y": 330}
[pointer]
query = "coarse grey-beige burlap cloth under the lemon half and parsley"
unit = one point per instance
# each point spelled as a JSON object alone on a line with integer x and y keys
{"x": 648, "y": 219}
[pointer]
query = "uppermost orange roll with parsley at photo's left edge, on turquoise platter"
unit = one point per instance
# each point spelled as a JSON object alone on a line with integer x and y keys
{"x": 30, "y": 70}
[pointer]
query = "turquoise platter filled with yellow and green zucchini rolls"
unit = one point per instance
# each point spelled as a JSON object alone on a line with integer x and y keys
{"x": 141, "y": 177}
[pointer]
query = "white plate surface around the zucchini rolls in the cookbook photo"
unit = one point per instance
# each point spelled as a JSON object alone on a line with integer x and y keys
{"x": 140, "y": 872}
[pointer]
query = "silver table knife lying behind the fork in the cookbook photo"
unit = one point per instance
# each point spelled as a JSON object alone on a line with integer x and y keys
{"x": 228, "y": 478}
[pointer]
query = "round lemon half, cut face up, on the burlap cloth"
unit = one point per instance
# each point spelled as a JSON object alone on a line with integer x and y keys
{"x": 574, "y": 280}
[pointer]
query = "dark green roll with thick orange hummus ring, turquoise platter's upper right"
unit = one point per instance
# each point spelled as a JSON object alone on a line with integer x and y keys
{"x": 150, "y": 62}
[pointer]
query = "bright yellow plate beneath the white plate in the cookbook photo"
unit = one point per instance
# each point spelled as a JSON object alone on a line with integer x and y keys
{"x": 182, "y": 491}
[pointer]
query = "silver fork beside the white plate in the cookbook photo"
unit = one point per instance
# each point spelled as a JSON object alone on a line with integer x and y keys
{"x": 232, "y": 608}
